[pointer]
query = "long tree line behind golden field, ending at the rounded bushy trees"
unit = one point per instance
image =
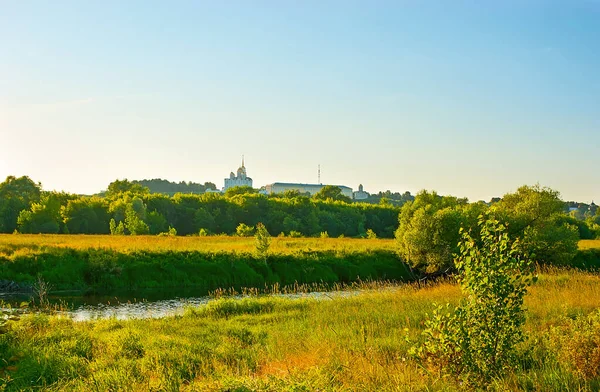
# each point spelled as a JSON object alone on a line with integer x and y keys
{"x": 129, "y": 208}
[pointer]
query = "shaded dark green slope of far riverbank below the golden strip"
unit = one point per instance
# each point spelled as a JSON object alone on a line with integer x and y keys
{"x": 103, "y": 270}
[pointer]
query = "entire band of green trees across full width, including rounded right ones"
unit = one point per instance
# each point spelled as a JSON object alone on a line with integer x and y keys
{"x": 426, "y": 227}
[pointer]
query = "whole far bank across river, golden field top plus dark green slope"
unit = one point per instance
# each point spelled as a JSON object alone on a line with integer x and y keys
{"x": 104, "y": 264}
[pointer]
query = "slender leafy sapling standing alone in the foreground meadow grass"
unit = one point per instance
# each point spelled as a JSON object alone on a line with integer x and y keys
{"x": 476, "y": 342}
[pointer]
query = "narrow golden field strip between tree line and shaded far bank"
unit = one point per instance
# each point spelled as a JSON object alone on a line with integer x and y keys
{"x": 9, "y": 243}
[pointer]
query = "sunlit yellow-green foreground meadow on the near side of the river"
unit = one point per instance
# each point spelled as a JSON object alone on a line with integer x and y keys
{"x": 346, "y": 344}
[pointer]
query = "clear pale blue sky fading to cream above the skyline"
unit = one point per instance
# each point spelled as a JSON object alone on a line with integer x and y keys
{"x": 468, "y": 98}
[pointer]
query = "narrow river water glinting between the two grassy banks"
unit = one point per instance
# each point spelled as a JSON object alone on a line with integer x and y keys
{"x": 141, "y": 305}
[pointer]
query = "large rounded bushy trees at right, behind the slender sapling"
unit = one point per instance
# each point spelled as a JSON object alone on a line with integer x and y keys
{"x": 428, "y": 231}
